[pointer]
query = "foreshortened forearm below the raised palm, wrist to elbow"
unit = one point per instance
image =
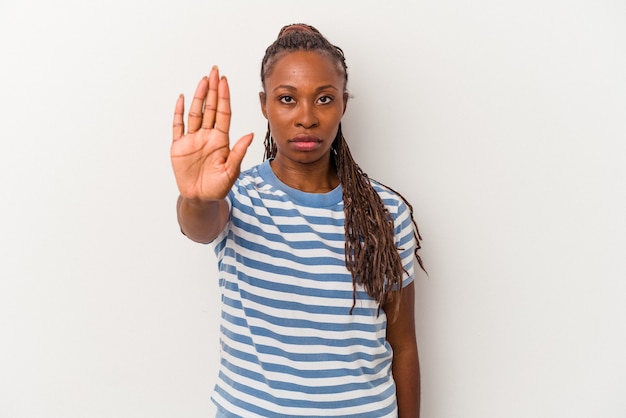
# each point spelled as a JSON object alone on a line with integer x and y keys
{"x": 201, "y": 221}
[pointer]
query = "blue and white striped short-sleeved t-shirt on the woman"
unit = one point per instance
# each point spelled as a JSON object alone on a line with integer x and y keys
{"x": 289, "y": 345}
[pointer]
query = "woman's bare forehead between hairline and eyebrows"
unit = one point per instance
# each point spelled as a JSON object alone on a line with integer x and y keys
{"x": 305, "y": 67}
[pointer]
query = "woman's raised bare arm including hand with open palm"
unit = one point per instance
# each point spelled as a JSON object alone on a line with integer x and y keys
{"x": 204, "y": 164}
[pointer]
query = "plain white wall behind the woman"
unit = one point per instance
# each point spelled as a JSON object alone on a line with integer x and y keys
{"x": 503, "y": 122}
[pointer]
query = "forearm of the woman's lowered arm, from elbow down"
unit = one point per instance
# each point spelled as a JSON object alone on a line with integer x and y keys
{"x": 406, "y": 373}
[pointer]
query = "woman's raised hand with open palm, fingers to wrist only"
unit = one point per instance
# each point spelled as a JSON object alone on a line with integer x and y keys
{"x": 204, "y": 164}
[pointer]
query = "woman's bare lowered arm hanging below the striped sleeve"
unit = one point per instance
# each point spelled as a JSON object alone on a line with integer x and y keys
{"x": 405, "y": 368}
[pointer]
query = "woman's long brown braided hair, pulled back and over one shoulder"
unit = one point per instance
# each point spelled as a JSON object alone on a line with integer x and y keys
{"x": 370, "y": 250}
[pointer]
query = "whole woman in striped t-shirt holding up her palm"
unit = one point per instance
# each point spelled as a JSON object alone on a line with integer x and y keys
{"x": 316, "y": 260}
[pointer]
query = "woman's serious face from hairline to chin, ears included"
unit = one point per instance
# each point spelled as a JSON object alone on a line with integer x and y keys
{"x": 303, "y": 102}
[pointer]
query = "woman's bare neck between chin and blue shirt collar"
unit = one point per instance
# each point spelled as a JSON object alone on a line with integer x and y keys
{"x": 318, "y": 177}
